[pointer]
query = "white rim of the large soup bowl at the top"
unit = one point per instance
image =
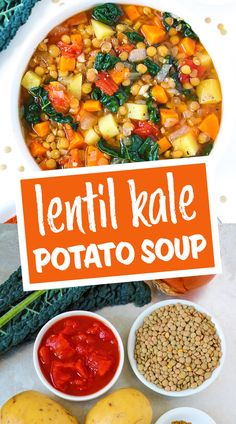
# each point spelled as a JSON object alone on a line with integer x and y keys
{"x": 185, "y": 10}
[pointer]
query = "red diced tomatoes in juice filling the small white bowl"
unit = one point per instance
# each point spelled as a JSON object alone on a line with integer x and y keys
{"x": 79, "y": 355}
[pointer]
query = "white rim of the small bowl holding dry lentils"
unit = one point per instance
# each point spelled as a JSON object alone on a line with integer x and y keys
{"x": 131, "y": 346}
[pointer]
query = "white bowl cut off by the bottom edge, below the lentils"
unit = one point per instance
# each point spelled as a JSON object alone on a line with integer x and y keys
{"x": 195, "y": 416}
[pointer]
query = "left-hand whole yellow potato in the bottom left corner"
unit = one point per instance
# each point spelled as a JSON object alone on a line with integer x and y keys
{"x": 33, "y": 407}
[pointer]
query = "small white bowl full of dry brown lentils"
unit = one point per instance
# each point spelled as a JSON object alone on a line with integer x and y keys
{"x": 176, "y": 348}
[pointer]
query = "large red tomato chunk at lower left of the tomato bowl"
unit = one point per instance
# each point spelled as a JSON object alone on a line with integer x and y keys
{"x": 61, "y": 374}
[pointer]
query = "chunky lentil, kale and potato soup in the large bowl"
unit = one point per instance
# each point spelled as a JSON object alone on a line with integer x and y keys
{"x": 119, "y": 84}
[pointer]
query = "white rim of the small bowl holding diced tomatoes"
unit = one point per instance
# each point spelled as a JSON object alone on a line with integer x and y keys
{"x": 41, "y": 334}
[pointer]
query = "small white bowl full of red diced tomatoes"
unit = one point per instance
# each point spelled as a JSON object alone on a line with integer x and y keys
{"x": 78, "y": 355}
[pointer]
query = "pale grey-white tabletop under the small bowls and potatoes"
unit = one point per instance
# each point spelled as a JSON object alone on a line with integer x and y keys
{"x": 219, "y": 297}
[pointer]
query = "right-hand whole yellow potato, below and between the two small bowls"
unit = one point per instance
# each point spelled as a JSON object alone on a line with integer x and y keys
{"x": 125, "y": 406}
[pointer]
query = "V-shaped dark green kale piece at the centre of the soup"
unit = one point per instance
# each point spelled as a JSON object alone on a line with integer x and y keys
{"x": 112, "y": 102}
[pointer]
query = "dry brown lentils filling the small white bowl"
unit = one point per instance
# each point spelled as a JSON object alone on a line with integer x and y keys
{"x": 177, "y": 347}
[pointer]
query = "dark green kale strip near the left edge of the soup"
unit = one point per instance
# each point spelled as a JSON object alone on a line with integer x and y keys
{"x": 42, "y": 101}
